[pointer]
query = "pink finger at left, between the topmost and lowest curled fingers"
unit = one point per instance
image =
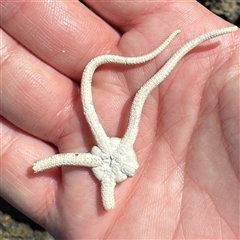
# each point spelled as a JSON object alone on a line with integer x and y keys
{"x": 37, "y": 98}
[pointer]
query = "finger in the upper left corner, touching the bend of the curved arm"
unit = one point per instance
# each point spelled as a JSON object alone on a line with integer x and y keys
{"x": 66, "y": 35}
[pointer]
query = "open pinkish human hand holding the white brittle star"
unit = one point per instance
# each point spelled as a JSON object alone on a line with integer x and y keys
{"x": 187, "y": 145}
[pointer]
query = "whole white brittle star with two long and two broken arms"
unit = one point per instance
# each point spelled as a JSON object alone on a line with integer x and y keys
{"x": 113, "y": 160}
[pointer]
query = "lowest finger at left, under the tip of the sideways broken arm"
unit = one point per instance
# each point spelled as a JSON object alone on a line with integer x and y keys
{"x": 18, "y": 151}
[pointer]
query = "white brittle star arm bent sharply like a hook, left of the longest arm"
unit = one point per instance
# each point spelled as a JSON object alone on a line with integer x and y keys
{"x": 98, "y": 132}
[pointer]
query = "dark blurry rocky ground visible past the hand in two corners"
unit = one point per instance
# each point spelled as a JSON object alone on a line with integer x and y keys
{"x": 14, "y": 225}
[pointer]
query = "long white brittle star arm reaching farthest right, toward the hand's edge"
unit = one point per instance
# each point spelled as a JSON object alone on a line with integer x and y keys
{"x": 141, "y": 96}
